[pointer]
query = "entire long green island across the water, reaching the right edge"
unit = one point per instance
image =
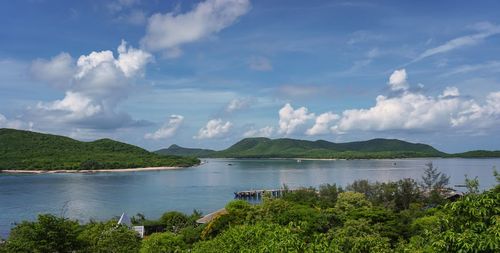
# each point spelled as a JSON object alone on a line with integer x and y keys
{"x": 379, "y": 148}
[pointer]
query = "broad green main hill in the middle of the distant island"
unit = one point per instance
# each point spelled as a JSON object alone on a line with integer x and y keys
{"x": 290, "y": 148}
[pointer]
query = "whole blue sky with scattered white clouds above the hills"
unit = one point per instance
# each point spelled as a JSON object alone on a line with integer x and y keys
{"x": 209, "y": 73}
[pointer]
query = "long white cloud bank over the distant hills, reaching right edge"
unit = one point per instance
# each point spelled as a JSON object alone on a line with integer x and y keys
{"x": 415, "y": 111}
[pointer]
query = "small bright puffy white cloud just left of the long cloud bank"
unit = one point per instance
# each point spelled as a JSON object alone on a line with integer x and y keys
{"x": 290, "y": 119}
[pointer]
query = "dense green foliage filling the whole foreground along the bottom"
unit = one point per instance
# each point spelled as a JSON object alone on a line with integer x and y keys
{"x": 402, "y": 216}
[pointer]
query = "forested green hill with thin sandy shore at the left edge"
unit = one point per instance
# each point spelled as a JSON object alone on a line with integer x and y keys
{"x": 31, "y": 150}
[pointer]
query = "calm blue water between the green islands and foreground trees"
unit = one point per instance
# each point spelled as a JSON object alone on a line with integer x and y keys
{"x": 207, "y": 187}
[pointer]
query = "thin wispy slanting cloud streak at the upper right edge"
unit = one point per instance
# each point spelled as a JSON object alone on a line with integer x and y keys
{"x": 485, "y": 30}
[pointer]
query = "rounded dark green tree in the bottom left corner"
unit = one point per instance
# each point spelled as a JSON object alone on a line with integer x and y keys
{"x": 48, "y": 234}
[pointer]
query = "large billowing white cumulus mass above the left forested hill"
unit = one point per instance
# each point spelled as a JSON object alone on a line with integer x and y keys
{"x": 98, "y": 82}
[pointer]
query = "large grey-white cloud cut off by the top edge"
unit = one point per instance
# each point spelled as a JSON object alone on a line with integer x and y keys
{"x": 166, "y": 32}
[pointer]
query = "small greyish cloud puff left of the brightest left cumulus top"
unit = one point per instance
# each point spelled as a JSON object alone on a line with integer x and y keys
{"x": 57, "y": 71}
